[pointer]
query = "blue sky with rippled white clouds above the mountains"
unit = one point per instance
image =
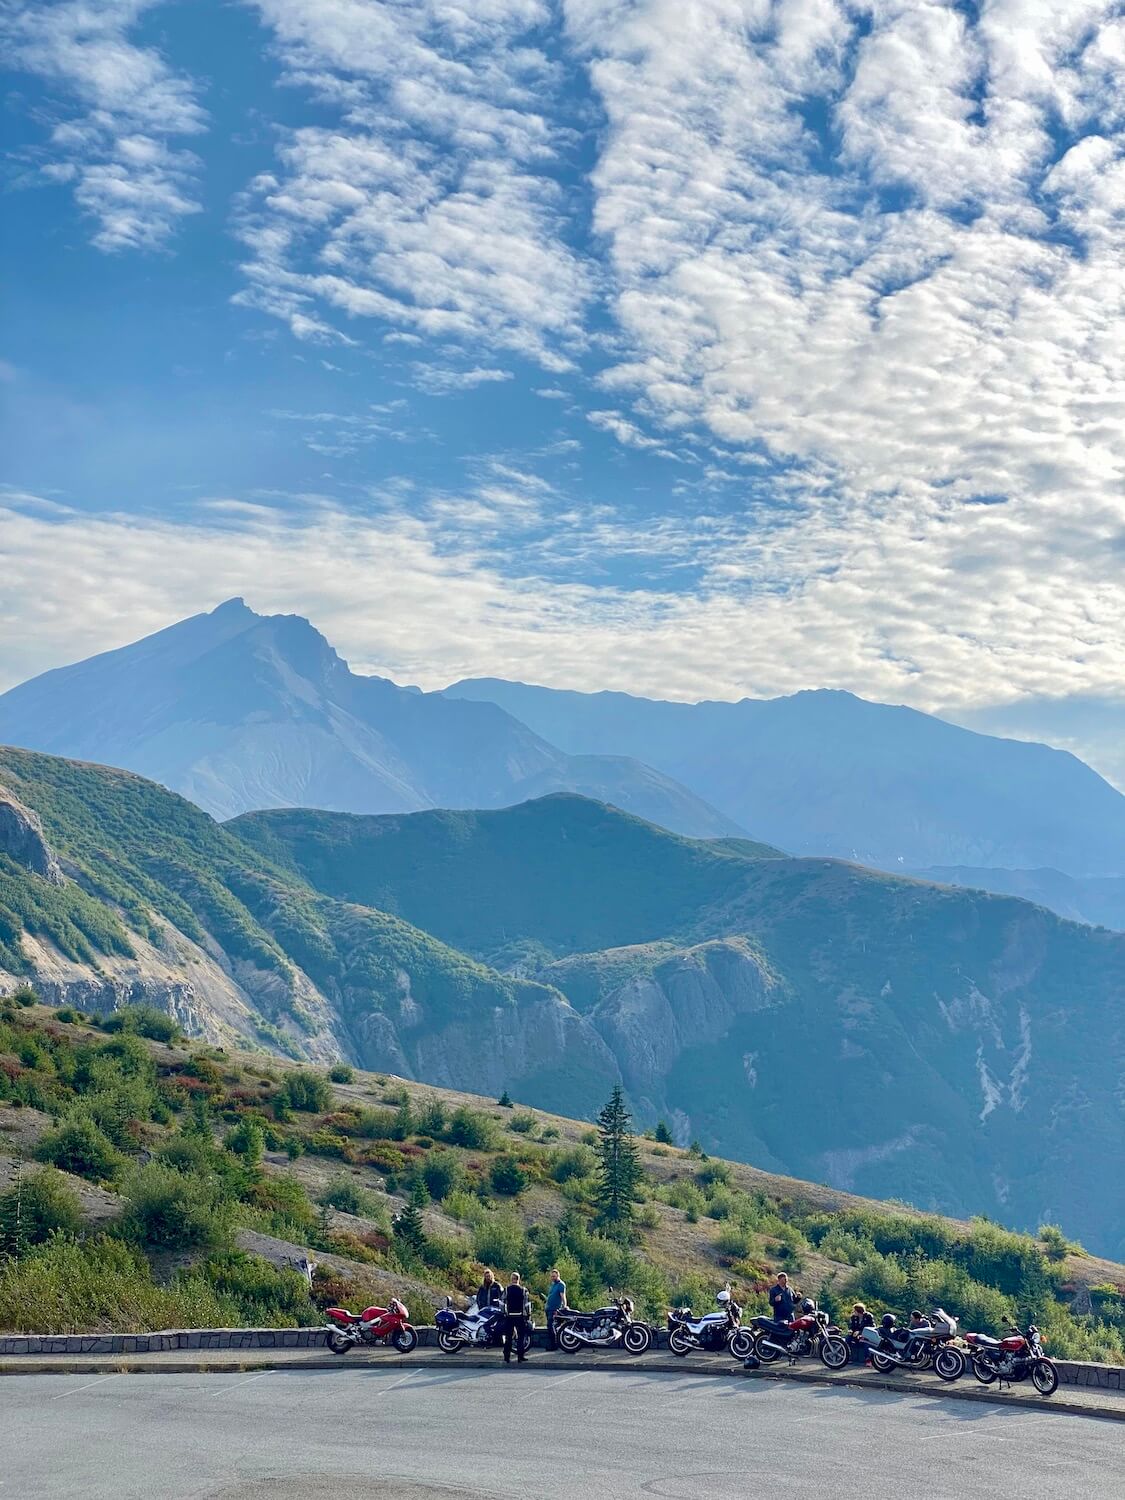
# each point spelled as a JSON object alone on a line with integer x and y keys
{"x": 698, "y": 349}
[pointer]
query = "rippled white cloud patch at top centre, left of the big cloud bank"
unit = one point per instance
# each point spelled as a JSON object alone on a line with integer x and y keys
{"x": 433, "y": 203}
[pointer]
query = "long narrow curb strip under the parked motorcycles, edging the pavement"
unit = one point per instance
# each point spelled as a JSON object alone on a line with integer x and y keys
{"x": 28, "y": 1366}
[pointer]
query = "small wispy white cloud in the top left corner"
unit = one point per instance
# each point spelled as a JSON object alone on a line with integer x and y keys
{"x": 116, "y": 151}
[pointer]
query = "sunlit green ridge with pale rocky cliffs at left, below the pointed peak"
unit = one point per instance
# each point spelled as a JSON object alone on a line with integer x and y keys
{"x": 115, "y": 890}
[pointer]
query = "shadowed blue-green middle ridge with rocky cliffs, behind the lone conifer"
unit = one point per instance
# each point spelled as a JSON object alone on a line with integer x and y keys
{"x": 956, "y": 1049}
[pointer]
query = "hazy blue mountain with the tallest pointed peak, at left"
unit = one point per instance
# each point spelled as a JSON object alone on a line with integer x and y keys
{"x": 238, "y": 712}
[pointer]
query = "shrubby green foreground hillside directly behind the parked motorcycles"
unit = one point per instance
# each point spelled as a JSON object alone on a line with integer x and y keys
{"x": 167, "y": 1184}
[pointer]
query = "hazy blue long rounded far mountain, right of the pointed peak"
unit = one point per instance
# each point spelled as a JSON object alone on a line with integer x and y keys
{"x": 826, "y": 773}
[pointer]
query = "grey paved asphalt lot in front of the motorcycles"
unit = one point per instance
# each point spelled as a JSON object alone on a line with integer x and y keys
{"x": 470, "y": 1435}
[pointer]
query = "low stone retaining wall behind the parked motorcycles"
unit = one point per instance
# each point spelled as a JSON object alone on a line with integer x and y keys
{"x": 1072, "y": 1373}
